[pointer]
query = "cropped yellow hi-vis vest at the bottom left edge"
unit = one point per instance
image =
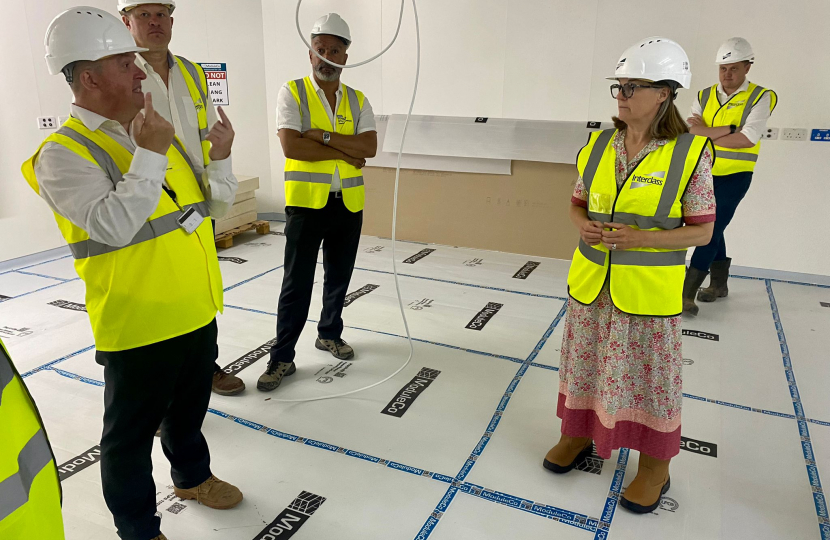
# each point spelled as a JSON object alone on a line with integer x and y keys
{"x": 30, "y": 491}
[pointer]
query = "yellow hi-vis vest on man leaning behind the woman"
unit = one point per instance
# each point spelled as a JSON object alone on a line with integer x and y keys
{"x": 735, "y": 111}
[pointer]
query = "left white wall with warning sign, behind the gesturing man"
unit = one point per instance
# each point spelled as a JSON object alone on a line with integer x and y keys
{"x": 204, "y": 31}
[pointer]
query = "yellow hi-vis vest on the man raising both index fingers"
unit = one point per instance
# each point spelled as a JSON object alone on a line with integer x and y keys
{"x": 163, "y": 284}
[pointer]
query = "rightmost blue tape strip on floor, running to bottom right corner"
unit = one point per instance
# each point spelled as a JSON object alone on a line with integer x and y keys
{"x": 804, "y": 431}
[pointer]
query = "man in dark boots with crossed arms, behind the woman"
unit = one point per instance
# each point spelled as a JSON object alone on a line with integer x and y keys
{"x": 734, "y": 115}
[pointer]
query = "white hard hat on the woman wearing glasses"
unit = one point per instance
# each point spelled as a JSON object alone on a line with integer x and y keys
{"x": 655, "y": 59}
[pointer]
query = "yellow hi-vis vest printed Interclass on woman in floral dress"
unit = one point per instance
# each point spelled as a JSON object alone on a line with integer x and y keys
{"x": 643, "y": 281}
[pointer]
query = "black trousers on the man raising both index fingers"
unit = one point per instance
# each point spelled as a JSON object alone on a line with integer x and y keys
{"x": 166, "y": 383}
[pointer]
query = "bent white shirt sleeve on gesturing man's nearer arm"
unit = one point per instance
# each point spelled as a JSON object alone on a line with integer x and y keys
{"x": 81, "y": 192}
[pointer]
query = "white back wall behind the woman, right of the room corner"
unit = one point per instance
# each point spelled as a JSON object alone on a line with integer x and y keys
{"x": 548, "y": 59}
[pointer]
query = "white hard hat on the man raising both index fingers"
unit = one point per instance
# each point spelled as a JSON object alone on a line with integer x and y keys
{"x": 85, "y": 33}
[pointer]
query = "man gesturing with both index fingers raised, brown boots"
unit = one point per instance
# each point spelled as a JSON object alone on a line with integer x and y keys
{"x": 129, "y": 203}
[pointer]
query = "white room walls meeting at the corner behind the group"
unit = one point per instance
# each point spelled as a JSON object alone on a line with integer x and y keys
{"x": 535, "y": 59}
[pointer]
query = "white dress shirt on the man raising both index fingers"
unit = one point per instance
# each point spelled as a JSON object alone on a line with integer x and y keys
{"x": 81, "y": 191}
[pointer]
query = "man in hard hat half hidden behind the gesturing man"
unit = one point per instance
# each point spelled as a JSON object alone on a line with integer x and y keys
{"x": 180, "y": 90}
